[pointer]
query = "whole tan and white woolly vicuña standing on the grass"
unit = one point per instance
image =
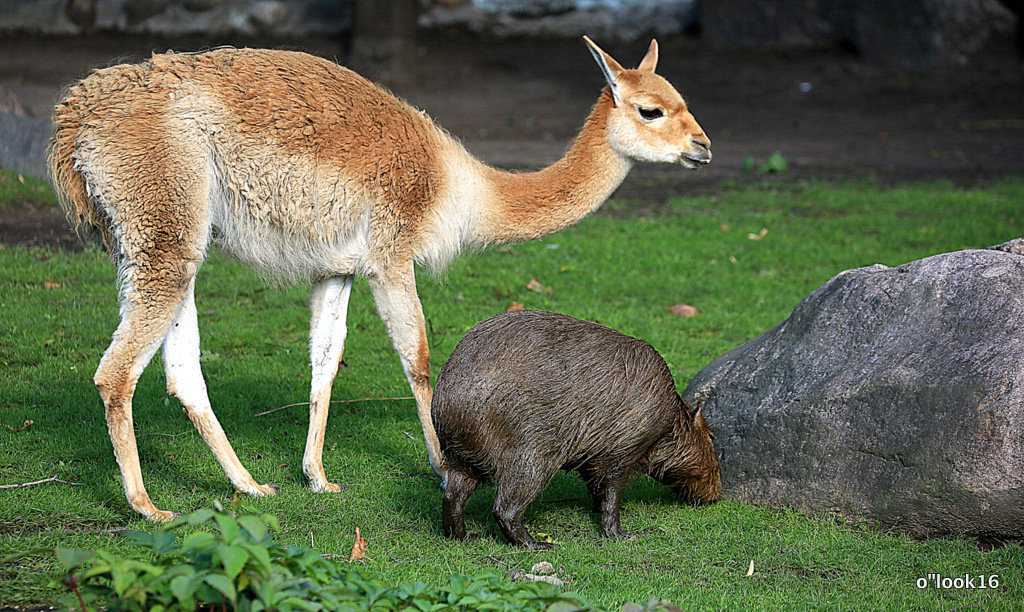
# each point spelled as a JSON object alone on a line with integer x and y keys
{"x": 309, "y": 172}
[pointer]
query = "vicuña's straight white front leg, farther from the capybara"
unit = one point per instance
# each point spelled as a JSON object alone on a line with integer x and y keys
{"x": 329, "y": 307}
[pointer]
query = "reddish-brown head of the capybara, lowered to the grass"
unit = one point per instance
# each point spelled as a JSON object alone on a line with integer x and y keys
{"x": 686, "y": 460}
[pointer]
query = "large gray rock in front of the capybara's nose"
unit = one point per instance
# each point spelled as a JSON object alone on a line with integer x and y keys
{"x": 890, "y": 396}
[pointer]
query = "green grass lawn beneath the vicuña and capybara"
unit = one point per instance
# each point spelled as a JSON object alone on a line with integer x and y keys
{"x": 618, "y": 269}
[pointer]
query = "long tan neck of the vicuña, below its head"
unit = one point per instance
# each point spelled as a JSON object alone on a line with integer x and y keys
{"x": 527, "y": 206}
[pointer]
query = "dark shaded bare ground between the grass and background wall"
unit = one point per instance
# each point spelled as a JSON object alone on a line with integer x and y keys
{"x": 833, "y": 112}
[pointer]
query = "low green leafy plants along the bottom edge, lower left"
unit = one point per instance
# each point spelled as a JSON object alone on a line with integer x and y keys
{"x": 236, "y": 565}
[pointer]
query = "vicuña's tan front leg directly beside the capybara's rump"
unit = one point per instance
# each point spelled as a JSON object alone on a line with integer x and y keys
{"x": 395, "y": 293}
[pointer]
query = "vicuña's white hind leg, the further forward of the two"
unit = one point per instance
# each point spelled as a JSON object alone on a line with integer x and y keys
{"x": 185, "y": 381}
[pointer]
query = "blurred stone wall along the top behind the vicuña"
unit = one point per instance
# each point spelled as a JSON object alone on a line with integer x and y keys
{"x": 910, "y": 34}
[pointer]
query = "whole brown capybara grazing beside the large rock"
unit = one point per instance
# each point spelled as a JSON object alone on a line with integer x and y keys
{"x": 526, "y": 395}
